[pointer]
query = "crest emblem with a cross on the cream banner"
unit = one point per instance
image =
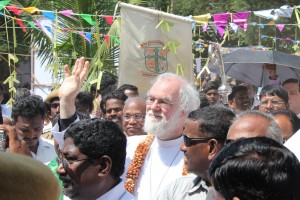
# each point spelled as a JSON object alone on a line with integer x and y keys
{"x": 155, "y": 57}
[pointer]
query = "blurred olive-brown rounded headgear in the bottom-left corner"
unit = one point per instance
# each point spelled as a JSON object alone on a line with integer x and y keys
{"x": 25, "y": 178}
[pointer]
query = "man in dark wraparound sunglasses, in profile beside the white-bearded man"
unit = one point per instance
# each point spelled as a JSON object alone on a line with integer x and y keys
{"x": 204, "y": 134}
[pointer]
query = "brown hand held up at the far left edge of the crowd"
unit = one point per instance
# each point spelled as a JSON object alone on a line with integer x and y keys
{"x": 15, "y": 145}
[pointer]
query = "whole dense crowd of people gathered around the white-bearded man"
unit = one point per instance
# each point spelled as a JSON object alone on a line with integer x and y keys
{"x": 176, "y": 143}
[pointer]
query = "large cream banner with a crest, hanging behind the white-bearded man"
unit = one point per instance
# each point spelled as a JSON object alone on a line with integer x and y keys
{"x": 142, "y": 56}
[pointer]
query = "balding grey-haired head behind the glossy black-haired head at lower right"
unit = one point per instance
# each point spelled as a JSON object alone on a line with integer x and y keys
{"x": 254, "y": 124}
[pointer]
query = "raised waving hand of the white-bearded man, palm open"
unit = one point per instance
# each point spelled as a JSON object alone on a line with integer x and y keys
{"x": 71, "y": 87}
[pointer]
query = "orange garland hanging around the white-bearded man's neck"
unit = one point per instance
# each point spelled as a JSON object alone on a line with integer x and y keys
{"x": 137, "y": 162}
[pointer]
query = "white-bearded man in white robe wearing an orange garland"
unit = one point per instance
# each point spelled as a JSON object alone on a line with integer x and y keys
{"x": 157, "y": 160}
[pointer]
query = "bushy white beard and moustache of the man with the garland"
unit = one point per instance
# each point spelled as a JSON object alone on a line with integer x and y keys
{"x": 163, "y": 127}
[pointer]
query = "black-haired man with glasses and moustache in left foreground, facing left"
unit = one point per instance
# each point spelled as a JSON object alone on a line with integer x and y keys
{"x": 92, "y": 160}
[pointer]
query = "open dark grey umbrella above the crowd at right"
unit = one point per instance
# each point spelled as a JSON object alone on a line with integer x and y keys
{"x": 247, "y": 66}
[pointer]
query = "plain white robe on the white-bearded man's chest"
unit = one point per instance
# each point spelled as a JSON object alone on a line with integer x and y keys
{"x": 163, "y": 164}
